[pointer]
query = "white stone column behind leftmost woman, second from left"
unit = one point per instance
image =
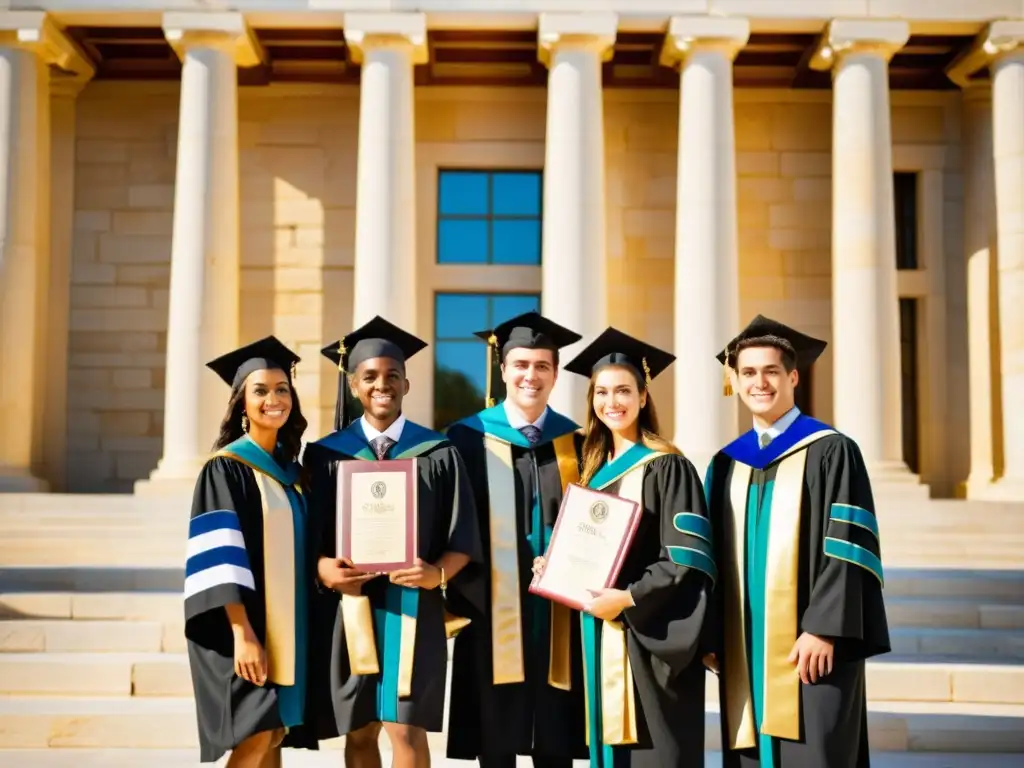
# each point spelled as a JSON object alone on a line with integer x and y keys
{"x": 203, "y": 317}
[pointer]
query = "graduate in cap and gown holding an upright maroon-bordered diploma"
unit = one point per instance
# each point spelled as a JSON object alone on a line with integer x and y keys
{"x": 389, "y": 659}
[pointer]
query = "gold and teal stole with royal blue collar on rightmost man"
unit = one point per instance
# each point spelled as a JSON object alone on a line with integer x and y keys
{"x": 762, "y": 525}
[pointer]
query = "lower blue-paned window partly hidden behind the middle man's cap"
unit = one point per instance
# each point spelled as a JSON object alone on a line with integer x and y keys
{"x": 461, "y": 358}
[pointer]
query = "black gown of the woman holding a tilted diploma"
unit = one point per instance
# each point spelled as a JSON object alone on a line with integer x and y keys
{"x": 671, "y": 575}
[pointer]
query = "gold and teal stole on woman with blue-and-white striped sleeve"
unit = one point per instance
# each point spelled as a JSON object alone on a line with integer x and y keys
{"x": 284, "y": 553}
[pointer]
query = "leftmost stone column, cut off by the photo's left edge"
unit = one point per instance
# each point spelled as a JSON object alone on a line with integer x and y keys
{"x": 30, "y": 45}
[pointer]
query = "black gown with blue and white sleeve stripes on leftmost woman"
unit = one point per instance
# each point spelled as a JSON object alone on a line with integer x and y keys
{"x": 226, "y": 566}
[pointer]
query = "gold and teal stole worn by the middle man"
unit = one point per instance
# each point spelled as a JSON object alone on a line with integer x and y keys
{"x": 506, "y": 619}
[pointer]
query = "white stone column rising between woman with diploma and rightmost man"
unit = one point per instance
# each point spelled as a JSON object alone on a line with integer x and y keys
{"x": 707, "y": 301}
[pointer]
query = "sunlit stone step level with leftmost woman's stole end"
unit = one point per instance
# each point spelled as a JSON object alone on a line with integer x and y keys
{"x": 165, "y": 674}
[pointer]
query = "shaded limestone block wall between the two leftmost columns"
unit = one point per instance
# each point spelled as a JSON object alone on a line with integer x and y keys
{"x": 124, "y": 193}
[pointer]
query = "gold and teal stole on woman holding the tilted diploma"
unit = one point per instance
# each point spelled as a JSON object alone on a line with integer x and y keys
{"x": 612, "y": 715}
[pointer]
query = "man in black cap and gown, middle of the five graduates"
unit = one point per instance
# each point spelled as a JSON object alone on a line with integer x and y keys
{"x": 517, "y": 678}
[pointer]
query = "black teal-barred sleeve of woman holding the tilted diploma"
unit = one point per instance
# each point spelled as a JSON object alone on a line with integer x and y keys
{"x": 672, "y": 594}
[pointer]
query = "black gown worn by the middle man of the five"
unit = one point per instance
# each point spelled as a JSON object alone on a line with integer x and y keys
{"x": 529, "y": 716}
